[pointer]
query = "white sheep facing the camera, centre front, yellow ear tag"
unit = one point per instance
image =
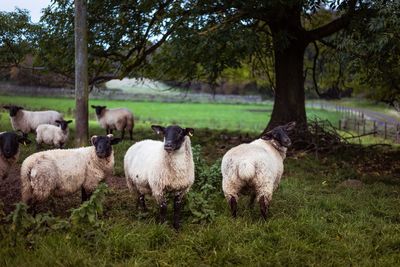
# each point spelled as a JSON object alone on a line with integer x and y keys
{"x": 155, "y": 167}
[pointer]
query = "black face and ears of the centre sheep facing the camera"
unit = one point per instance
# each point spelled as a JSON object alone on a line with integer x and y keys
{"x": 173, "y": 136}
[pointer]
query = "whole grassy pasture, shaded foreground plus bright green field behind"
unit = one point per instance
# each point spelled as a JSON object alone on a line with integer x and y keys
{"x": 313, "y": 219}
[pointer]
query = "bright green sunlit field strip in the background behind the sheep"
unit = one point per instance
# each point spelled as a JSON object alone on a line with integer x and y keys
{"x": 245, "y": 118}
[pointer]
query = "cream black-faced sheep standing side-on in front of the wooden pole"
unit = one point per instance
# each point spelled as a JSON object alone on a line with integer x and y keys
{"x": 63, "y": 172}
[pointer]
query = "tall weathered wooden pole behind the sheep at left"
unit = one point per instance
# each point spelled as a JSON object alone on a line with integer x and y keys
{"x": 81, "y": 74}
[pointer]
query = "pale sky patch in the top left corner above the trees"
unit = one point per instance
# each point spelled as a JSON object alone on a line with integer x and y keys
{"x": 33, "y": 6}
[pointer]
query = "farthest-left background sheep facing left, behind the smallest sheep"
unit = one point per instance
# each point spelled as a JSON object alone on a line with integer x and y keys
{"x": 27, "y": 121}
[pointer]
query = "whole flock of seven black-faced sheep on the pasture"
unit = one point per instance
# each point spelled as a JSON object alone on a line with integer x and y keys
{"x": 151, "y": 167}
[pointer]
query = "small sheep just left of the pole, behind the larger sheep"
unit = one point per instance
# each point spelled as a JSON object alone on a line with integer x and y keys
{"x": 52, "y": 135}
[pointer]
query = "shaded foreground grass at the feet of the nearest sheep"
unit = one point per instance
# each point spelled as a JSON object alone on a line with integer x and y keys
{"x": 312, "y": 222}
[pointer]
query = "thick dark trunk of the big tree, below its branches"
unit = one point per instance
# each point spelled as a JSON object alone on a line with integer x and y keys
{"x": 289, "y": 104}
